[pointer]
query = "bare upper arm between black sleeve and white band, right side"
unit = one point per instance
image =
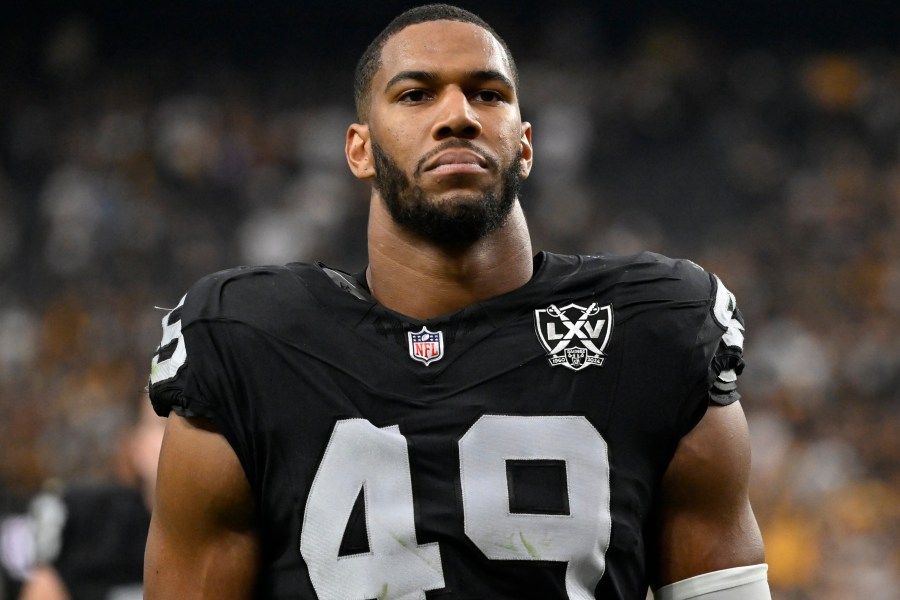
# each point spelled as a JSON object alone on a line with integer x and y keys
{"x": 705, "y": 519}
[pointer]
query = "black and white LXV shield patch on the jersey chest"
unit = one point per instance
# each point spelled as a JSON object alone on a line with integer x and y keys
{"x": 574, "y": 336}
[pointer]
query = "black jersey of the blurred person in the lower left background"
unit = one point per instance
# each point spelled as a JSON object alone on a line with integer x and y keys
{"x": 94, "y": 537}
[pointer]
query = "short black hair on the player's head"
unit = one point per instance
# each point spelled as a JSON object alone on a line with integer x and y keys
{"x": 370, "y": 60}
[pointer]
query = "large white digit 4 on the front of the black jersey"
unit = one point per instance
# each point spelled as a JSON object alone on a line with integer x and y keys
{"x": 360, "y": 456}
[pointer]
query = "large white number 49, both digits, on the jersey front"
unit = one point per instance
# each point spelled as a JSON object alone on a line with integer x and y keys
{"x": 361, "y": 458}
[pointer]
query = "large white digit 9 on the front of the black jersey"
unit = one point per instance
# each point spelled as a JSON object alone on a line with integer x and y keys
{"x": 579, "y": 538}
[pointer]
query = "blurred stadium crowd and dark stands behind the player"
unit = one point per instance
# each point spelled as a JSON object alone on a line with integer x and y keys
{"x": 142, "y": 147}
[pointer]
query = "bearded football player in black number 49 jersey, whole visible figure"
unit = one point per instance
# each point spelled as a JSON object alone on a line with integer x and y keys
{"x": 463, "y": 419}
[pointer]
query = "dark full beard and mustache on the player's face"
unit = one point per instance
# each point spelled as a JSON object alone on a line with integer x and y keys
{"x": 453, "y": 221}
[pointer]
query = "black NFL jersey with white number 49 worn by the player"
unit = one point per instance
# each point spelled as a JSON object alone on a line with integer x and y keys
{"x": 510, "y": 450}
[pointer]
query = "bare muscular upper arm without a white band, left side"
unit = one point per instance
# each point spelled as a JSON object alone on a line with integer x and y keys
{"x": 202, "y": 541}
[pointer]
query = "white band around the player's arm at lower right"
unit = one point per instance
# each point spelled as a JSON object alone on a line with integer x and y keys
{"x": 739, "y": 583}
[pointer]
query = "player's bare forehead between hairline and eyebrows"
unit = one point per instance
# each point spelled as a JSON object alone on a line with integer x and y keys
{"x": 440, "y": 46}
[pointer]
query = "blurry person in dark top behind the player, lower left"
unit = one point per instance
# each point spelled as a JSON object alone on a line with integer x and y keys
{"x": 90, "y": 538}
